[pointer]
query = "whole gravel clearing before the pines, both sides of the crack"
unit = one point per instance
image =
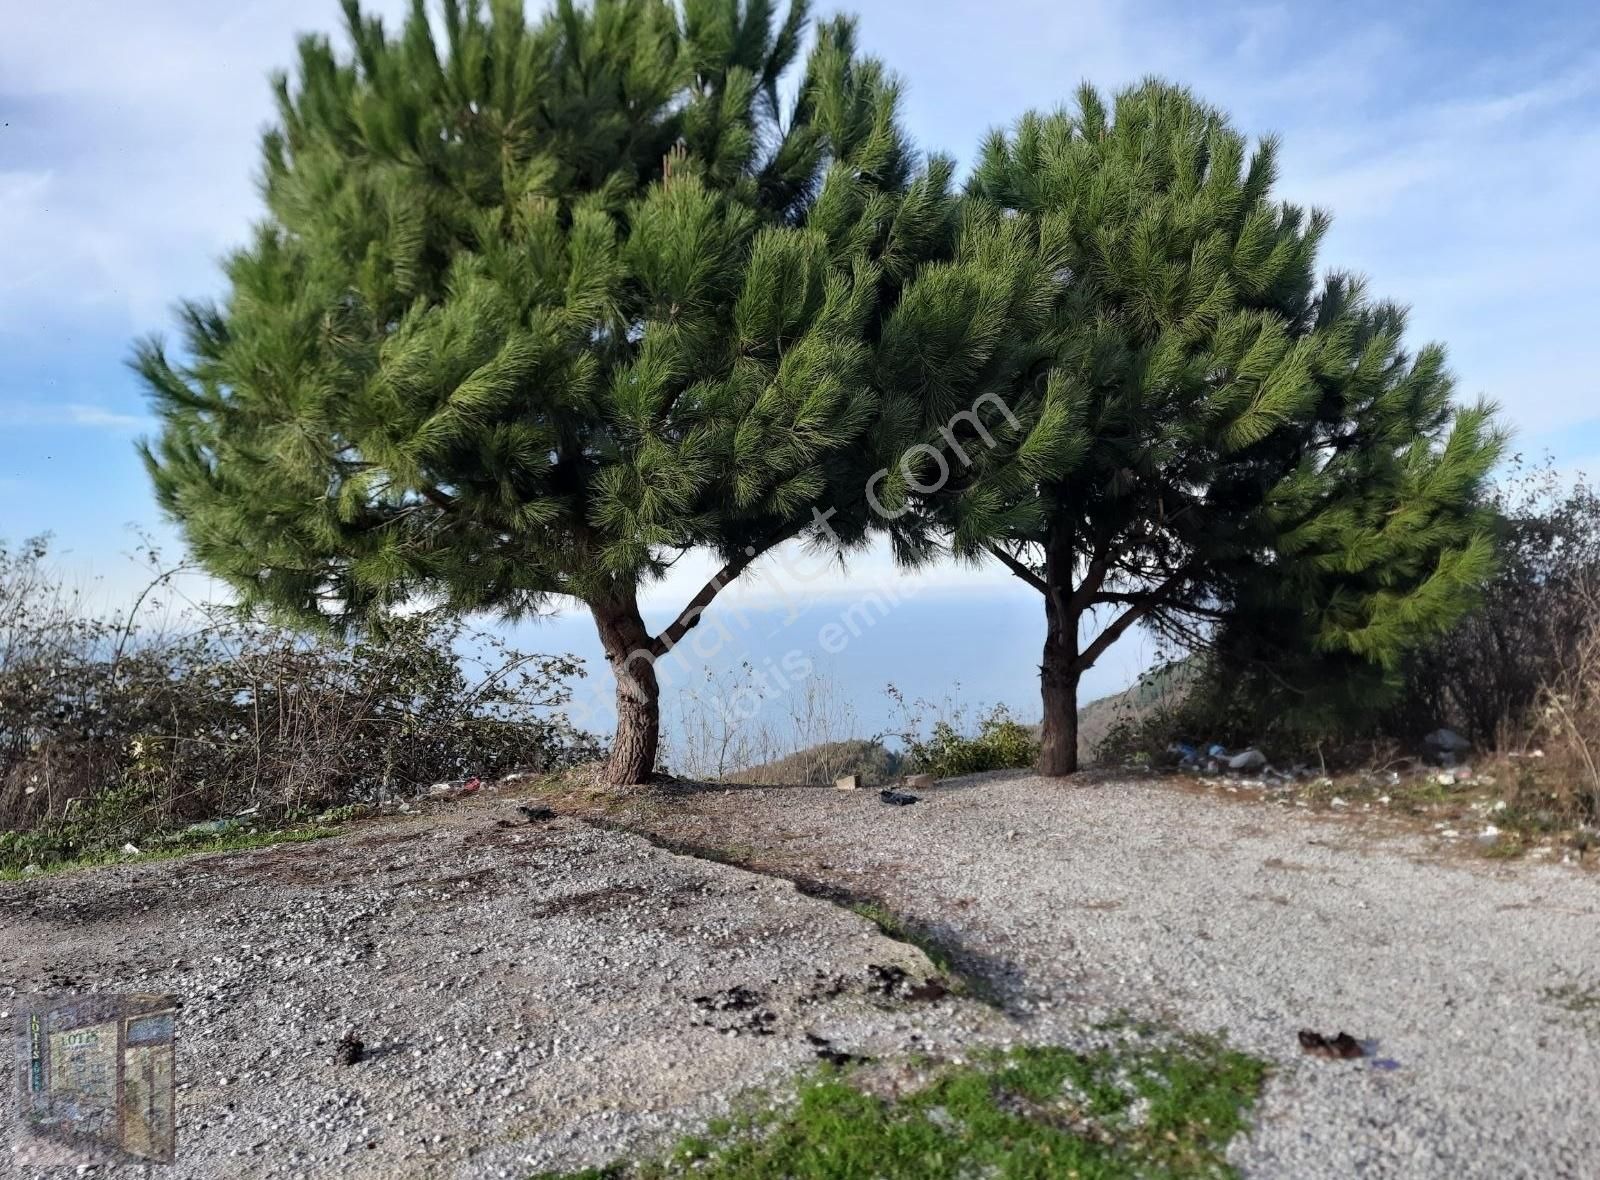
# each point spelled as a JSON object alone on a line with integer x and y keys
{"x": 530, "y": 992}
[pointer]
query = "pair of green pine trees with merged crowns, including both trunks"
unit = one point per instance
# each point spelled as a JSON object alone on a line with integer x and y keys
{"x": 540, "y": 306}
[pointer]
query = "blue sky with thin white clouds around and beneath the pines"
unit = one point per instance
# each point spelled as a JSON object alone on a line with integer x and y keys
{"x": 1457, "y": 146}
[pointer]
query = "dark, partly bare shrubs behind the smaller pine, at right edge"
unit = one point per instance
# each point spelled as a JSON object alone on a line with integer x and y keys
{"x": 1494, "y": 677}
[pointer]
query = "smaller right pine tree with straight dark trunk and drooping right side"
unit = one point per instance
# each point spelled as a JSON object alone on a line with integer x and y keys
{"x": 1191, "y": 433}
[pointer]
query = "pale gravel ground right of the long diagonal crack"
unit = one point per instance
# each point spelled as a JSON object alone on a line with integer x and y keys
{"x": 1076, "y": 901}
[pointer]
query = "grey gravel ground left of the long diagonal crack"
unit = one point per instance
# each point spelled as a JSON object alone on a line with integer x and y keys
{"x": 527, "y": 995}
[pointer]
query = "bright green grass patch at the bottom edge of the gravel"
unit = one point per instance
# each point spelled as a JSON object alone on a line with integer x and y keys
{"x": 1038, "y": 1114}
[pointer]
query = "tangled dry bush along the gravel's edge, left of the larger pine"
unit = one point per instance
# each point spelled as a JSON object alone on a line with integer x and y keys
{"x": 111, "y": 727}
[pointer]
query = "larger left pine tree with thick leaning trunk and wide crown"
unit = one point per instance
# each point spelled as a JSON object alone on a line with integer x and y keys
{"x": 535, "y": 313}
